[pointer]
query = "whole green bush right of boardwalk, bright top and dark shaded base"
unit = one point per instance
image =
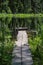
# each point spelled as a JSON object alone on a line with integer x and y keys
{"x": 37, "y": 50}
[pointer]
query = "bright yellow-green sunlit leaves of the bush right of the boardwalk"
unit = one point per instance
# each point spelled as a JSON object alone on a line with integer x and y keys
{"x": 34, "y": 43}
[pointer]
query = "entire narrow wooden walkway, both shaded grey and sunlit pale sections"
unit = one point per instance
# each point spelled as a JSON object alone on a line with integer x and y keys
{"x": 21, "y": 53}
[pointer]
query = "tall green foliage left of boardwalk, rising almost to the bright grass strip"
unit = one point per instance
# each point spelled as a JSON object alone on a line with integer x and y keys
{"x": 6, "y": 43}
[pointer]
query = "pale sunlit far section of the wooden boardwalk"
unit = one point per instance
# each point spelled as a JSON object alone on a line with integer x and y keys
{"x": 22, "y": 38}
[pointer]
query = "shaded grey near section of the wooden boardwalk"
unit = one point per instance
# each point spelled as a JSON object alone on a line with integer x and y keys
{"x": 22, "y": 55}
